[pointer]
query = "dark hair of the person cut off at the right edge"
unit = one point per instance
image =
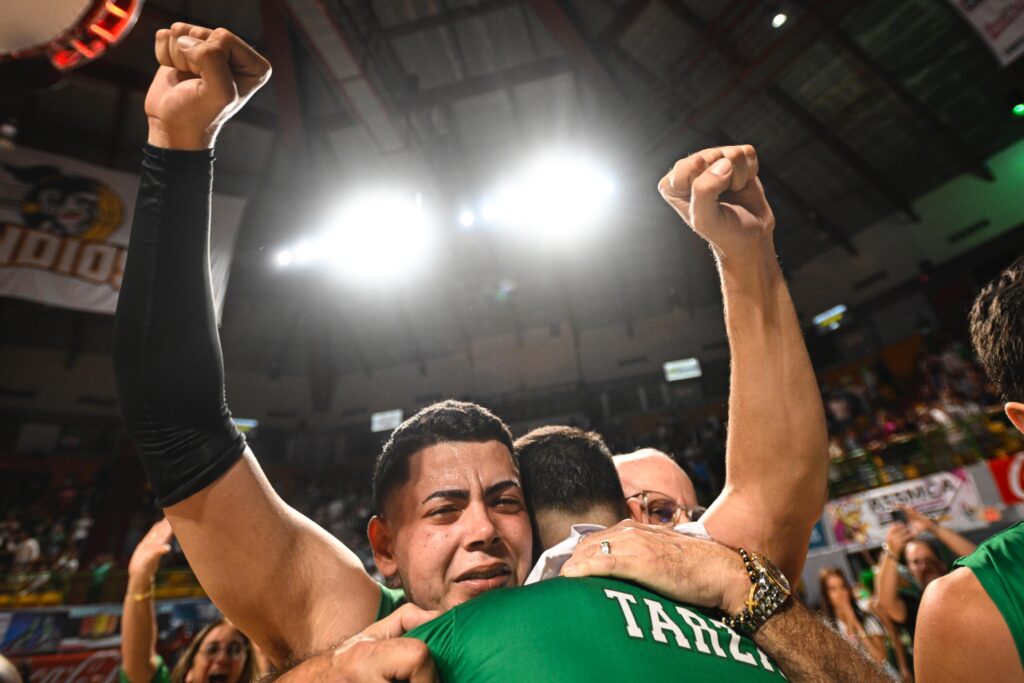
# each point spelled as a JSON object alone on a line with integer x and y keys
{"x": 998, "y": 330}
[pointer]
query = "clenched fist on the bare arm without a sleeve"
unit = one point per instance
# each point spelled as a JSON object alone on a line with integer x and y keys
{"x": 718, "y": 194}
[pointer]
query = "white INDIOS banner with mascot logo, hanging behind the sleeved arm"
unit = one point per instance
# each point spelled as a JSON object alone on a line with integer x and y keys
{"x": 65, "y": 227}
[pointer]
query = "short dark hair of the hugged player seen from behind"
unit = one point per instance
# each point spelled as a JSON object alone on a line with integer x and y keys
{"x": 568, "y": 469}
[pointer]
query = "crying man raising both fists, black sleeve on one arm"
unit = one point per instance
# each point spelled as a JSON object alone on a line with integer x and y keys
{"x": 452, "y": 523}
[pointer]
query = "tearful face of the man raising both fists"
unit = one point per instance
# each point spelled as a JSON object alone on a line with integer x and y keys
{"x": 459, "y": 527}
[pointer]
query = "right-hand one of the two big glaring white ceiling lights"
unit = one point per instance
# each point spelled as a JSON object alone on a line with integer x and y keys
{"x": 559, "y": 198}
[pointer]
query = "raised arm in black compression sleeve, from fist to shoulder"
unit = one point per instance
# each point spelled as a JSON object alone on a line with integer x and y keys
{"x": 287, "y": 584}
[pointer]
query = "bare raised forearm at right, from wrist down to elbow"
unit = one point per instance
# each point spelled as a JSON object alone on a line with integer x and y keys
{"x": 778, "y": 442}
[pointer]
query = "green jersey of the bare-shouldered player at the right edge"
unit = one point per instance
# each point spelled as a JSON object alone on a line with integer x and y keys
{"x": 999, "y": 565}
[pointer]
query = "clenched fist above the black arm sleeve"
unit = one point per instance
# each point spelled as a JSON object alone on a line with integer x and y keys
{"x": 205, "y": 77}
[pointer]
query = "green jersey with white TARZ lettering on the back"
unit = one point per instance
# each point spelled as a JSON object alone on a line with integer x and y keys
{"x": 592, "y": 629}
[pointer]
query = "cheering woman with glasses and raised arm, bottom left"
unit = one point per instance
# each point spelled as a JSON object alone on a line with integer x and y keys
{"x": 219, "y": 654}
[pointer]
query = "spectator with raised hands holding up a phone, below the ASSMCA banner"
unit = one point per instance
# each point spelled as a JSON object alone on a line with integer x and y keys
{"x": 904, "y": 543}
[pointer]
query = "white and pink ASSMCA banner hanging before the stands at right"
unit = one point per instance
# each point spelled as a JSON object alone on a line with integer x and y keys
{"x": 951, "y": 498}
